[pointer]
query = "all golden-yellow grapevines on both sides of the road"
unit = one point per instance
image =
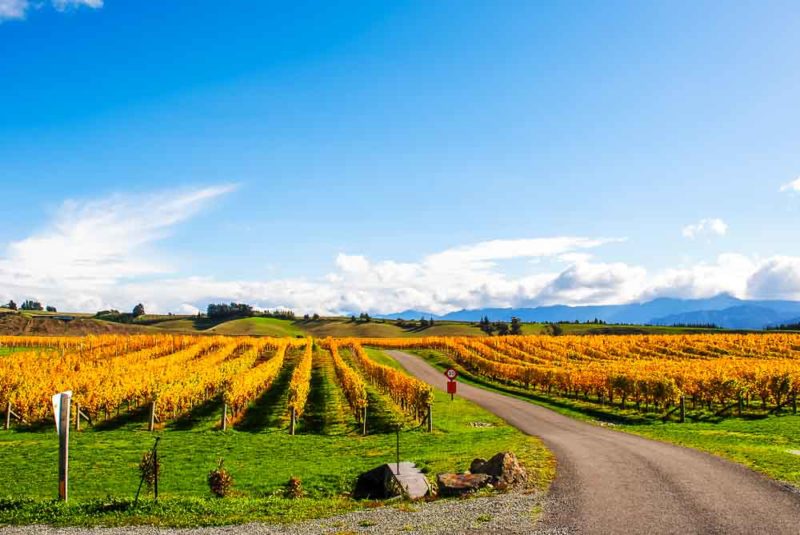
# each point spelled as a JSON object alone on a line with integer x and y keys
{"x": 173, "y": 374}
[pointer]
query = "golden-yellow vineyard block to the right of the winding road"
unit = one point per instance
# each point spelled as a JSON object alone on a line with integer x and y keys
{"x": 719, "y": 371}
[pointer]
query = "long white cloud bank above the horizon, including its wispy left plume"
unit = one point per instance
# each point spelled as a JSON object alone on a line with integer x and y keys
{"x": 103, "y": 253}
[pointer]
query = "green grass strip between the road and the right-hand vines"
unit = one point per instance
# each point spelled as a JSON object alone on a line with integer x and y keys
{"x": 767, "y": 444}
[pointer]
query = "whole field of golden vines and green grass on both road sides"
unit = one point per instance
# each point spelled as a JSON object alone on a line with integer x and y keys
{"x": 727, "y": 384}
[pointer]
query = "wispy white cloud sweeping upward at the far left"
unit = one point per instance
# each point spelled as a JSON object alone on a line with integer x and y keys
{"x": 91, "y": 246}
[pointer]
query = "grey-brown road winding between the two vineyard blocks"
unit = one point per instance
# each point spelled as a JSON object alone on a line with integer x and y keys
{"x": 613, "y": 482}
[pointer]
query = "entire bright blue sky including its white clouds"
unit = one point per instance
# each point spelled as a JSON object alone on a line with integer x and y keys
{"x": 338, "y": 157}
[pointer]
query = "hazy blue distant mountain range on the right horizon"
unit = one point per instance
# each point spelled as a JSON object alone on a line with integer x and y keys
{"x": 723, "y": 310}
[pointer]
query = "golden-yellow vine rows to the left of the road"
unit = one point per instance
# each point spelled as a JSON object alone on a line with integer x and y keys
{"x": 170, "y": 376}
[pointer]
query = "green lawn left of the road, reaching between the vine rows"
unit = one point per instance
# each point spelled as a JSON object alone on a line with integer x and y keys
{"x": 327, "y": 454}
